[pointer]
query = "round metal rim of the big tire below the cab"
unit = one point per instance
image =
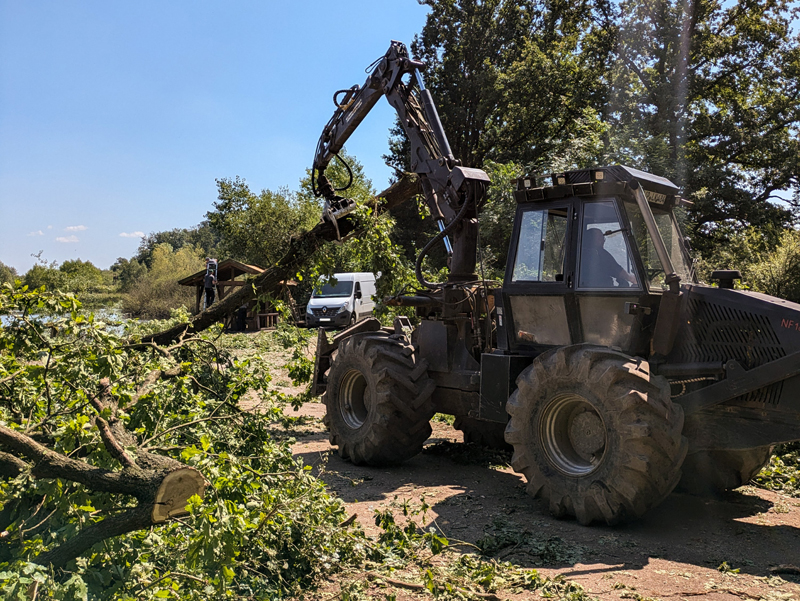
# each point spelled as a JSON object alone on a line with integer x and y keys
{"x": 573, "y": 435}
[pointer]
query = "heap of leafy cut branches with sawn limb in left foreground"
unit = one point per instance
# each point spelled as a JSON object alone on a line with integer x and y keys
{"x": 128, "y": 469}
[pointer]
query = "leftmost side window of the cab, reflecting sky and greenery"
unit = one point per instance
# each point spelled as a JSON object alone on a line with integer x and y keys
{"x": 541, "y": 246}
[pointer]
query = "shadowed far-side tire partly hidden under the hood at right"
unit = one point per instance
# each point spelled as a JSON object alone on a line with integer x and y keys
{"x": 713, "y": 472}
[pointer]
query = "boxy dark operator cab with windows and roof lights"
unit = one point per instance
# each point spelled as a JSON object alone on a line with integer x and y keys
{"x": 583, "y": 265}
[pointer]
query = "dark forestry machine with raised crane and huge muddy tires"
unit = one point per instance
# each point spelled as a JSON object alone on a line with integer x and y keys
{"x": 612, "y": 373}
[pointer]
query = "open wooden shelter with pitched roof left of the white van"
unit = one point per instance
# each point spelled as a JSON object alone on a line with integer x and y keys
{"x": 230, "y": 275}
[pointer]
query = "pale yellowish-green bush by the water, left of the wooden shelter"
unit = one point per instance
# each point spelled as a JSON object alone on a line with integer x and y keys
{"x": 157, "y": 293}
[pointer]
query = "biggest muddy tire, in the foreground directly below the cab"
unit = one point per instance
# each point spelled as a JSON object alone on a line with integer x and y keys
{"x": 595, "y": 434}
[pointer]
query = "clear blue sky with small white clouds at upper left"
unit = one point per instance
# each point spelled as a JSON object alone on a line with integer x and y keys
{"x": 117, "y": 117}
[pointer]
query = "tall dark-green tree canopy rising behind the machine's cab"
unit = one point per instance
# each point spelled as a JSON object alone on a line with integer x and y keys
{"x": 705, "y": 93}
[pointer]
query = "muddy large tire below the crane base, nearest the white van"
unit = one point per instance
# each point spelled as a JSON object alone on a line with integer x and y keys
{"x": 378, "y": 400}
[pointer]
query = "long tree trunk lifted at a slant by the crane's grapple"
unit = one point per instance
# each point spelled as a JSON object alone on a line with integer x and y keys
{"x": 300, "y": 251}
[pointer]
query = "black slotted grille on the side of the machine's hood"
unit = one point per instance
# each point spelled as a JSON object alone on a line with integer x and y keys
{"x": 718, "y": 333}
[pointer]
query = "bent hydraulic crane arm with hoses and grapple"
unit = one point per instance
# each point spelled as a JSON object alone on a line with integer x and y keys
{"x": 453, "y": 193}
